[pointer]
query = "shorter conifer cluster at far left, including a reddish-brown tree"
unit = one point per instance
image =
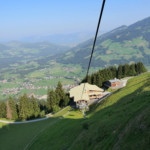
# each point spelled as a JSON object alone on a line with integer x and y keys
{"x": 26, "y": 108}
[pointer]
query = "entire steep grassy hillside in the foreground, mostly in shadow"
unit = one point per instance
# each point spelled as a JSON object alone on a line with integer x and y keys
{"x": 119, "y": 122}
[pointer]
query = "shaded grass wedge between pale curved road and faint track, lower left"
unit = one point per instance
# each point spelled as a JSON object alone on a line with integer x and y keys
{"x": 19, "y": 136}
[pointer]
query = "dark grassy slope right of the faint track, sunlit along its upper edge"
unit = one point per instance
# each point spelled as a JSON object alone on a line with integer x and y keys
{"x": 120, "y": 121}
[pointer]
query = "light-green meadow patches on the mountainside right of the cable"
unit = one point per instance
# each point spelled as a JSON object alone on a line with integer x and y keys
{"x": 125, "y": 49}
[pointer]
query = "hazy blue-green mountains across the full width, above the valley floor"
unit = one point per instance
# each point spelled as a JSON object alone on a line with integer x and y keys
{"x": 122, "y": 45}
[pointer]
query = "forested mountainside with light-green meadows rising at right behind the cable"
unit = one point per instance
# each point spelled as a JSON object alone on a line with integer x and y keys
{"x": 124, "y": 44}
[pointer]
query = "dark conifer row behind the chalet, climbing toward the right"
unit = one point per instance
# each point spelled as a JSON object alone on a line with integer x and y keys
{"x": 112, "y": 72}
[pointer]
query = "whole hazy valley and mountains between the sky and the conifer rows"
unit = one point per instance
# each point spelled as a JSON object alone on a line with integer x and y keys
{"x": 34, "y": 67}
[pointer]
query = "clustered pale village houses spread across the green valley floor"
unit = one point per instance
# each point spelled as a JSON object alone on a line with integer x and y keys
{"x": 29, "y": 85}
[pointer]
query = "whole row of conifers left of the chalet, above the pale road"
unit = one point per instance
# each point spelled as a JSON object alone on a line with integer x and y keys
{"x": 29, "y": 108}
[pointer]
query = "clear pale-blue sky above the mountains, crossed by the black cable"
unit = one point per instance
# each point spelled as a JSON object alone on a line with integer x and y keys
{"x": 23, "y": 18}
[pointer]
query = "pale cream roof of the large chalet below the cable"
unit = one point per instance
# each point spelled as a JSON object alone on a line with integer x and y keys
{"x": 76, "y": 92}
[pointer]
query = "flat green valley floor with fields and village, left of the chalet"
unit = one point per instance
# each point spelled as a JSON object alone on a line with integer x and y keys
{"x": 37, "y": 80}
